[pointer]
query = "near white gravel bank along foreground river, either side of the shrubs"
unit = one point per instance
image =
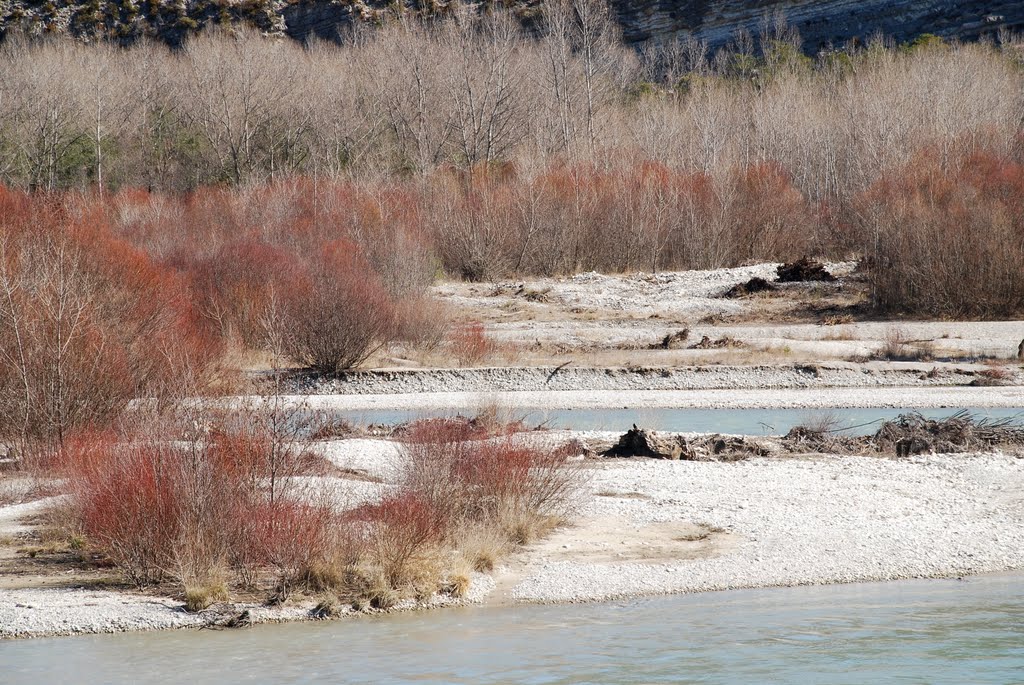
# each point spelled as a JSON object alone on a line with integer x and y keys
{"x": 649, "y": 528}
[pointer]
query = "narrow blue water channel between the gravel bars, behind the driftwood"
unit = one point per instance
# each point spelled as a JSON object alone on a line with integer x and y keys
{"x": 735, "y": 421}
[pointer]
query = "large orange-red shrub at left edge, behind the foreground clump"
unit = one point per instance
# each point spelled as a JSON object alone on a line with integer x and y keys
{"x": 88, "y": 322}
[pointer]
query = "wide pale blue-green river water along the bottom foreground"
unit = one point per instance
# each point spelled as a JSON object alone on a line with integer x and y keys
{"x": 969, "y": 631}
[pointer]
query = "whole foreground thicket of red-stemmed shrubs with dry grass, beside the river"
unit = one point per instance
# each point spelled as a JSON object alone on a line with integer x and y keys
{"x": 234, "y": 506}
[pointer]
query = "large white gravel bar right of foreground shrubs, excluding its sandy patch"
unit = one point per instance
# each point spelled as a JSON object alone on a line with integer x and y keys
{"x": 801, "y": 523}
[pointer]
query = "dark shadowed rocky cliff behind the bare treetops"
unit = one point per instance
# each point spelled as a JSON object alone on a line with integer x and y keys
{"x": 821, "y": 22}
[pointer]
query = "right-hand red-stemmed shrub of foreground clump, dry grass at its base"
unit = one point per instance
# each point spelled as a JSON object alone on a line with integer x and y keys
{"x": 471, "y": 492}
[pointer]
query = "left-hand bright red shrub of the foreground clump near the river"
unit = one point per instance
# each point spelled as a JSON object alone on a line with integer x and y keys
{"x": 193, "y": 510}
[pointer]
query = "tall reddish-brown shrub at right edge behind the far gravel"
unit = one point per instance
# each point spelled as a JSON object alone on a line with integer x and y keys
{"x": 947, "y": 238}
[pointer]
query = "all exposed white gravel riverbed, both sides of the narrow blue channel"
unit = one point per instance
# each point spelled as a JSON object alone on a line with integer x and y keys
{"x": 648, "y": 528}
